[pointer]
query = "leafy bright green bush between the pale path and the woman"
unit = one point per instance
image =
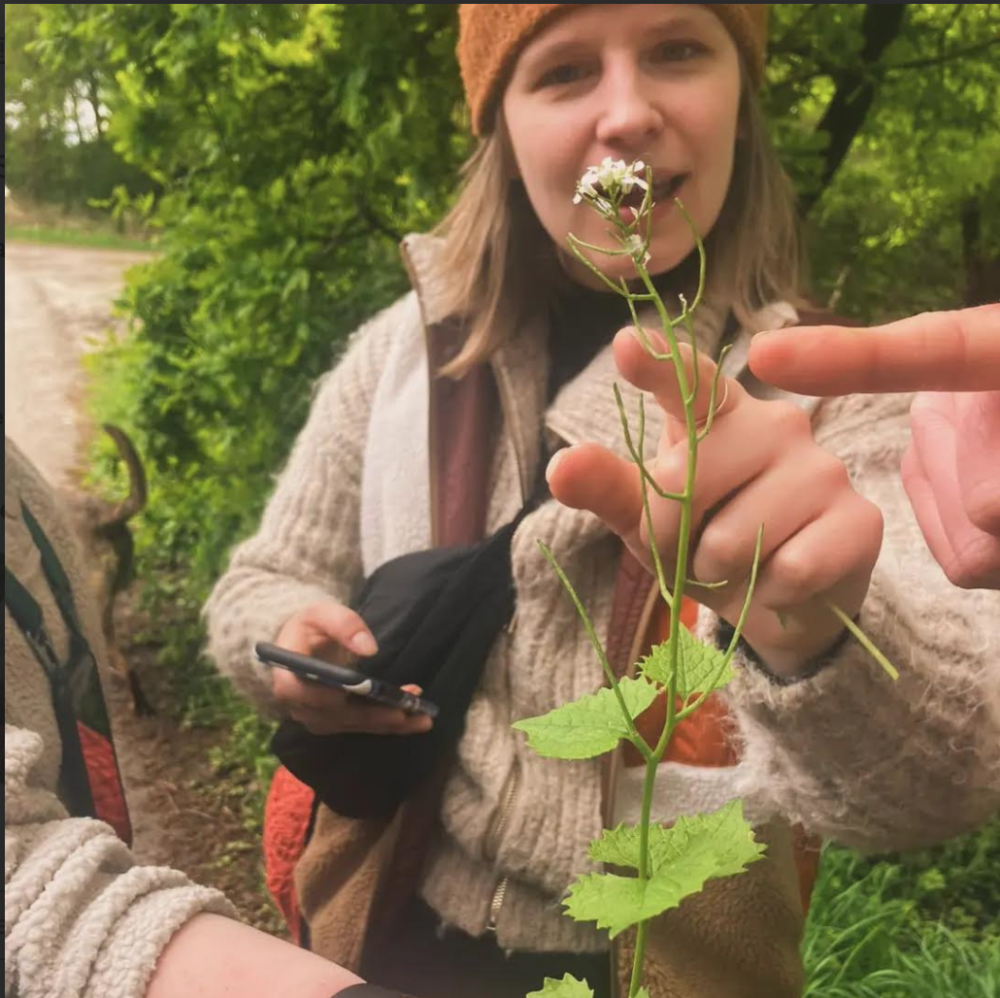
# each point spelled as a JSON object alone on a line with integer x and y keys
{"x": 295, "y": 144}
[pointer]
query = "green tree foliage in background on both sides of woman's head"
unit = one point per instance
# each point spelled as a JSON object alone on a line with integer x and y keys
{"x": 291, "y": 145}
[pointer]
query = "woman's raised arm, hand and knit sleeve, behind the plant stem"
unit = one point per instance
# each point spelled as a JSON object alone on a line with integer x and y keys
{"x": 827, "y": 737}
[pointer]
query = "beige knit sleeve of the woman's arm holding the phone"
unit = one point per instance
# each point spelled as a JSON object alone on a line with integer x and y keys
{"x": 307, "y": 548}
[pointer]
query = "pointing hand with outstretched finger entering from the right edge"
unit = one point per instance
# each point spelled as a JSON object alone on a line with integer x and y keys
{"x": 950, "y": 468}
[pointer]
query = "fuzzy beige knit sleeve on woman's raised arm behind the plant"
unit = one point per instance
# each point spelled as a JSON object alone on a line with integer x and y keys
{"x": 852, "y": 755}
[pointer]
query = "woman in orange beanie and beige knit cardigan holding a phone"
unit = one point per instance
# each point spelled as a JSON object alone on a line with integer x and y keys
{"x": 810, "y": 732}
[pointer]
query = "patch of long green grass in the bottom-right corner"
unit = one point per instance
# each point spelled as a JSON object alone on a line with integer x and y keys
{"x": 920, "y": 926}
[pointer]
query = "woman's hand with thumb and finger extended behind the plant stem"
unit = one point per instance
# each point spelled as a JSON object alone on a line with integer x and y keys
{"x": 759, "y": 465}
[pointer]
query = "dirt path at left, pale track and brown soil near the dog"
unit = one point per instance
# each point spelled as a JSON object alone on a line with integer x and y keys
{"x": 58, "y": 302}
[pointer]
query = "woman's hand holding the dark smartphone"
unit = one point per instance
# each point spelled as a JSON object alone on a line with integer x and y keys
{"x": 333, "y": 632}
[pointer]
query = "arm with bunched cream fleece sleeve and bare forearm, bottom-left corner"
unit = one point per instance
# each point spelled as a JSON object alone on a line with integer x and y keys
{"x": 83, "y": 919}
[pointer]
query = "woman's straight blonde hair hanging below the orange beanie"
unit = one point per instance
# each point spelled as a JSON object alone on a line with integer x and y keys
{"x": 497, "y": 261}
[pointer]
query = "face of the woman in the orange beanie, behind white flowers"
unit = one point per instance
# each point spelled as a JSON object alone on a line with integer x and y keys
{"x": 658, "y": 82}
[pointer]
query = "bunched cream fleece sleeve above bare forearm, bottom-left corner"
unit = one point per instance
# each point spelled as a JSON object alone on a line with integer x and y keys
{"x": 81, "y": 917}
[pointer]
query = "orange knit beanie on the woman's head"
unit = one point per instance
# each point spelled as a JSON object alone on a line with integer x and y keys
{"x": 491, "y": 36}
